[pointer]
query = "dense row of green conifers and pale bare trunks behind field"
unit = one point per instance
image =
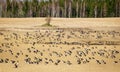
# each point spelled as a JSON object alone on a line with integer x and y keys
{"x": 61, "y": 8}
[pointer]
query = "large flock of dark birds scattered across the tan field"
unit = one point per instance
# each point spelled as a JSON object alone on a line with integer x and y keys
{"x": 59, "y": 46}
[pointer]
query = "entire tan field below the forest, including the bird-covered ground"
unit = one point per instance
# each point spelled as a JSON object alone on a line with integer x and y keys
{"x": 72, "y": 45}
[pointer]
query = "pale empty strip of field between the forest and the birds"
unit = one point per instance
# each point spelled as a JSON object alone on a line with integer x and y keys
{"x": 60, "y": 22}
